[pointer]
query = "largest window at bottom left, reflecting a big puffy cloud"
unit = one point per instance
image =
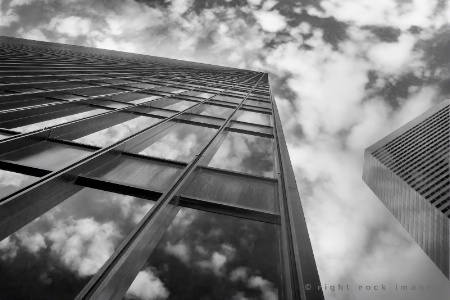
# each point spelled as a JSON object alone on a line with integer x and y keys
{"x": 56, "y": 255}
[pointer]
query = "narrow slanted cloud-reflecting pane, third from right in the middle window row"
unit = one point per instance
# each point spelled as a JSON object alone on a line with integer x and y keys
{"x": 117, "y": 132}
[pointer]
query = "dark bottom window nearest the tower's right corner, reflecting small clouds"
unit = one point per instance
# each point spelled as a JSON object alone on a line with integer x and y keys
{"x": 205, "y": 255}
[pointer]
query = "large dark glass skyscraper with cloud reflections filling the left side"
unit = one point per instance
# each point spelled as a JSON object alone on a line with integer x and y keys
{"x": 125, "y": 175}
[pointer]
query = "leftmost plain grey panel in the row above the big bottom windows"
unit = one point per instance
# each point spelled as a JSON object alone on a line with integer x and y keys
{"x": 47, "y": 155}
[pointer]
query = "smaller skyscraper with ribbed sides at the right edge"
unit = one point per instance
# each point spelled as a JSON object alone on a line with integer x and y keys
{"x": 409, "y": 172}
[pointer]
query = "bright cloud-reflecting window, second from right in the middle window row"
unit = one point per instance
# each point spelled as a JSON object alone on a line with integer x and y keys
{"x": 182, "y": 143}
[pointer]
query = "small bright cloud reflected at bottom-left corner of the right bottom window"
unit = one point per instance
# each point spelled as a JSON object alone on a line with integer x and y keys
{"x": 147, "y": 286}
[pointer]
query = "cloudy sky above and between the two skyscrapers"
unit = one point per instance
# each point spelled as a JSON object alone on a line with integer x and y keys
{"x": 345, "y": 73}
